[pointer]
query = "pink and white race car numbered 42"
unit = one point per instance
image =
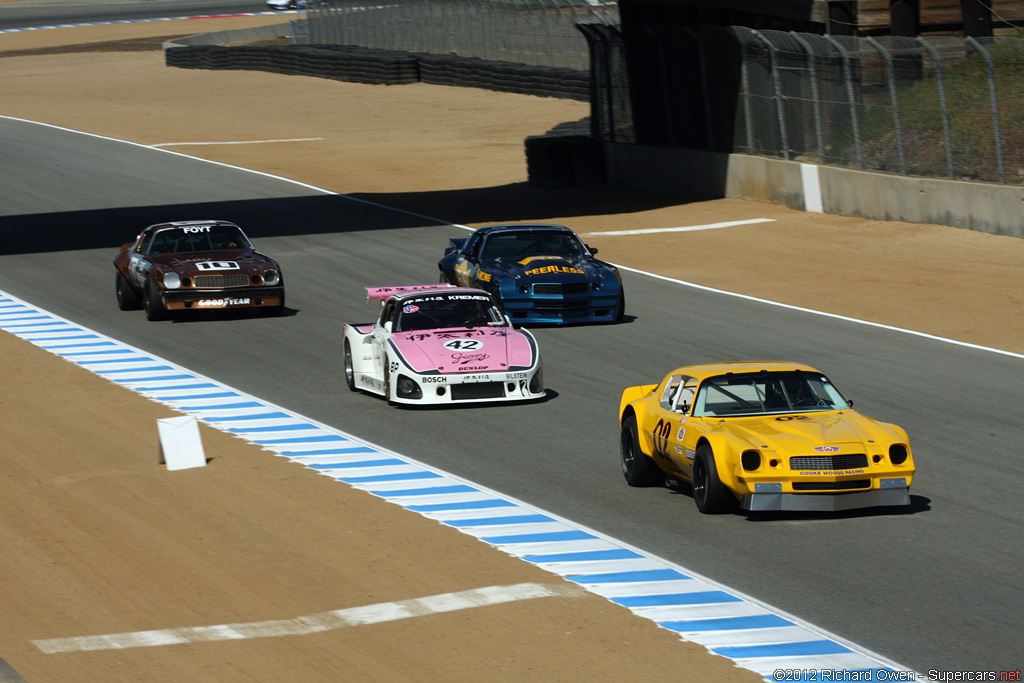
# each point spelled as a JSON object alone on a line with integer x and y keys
{"x": 442, "y": 345}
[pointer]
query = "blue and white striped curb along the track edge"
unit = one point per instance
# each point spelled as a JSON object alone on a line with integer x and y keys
{"x": 754, "y": 635}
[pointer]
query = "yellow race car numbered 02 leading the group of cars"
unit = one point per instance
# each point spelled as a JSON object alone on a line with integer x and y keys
{"x": 762, "y": 437}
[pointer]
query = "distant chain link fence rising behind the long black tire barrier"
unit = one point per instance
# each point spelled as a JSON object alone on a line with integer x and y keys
{"x": 537, "y": 33}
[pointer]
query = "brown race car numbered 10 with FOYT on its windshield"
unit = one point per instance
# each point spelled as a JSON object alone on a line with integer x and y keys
{"x": 199, "y": 265}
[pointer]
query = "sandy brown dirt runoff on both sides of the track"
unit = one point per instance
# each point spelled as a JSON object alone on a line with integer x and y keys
{"x": 99, "y": 539}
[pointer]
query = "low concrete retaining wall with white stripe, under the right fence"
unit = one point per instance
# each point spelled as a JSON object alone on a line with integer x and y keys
{"x": 976, "y": 206}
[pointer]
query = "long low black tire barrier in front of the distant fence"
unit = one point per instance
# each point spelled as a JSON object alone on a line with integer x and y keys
{"x": 361, "y": 65}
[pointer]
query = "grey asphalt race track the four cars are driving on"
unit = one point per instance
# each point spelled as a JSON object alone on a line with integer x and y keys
{"x": 935, "y": 587}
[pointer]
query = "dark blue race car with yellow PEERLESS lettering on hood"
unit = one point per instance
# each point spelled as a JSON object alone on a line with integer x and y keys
{"x": 541, "y": 274}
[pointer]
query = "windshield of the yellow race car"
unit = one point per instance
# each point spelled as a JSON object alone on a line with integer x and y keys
{"x": 766, "y": 394}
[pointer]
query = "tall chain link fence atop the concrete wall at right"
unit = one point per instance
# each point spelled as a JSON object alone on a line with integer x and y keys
{"x": 945, "y": 107}
